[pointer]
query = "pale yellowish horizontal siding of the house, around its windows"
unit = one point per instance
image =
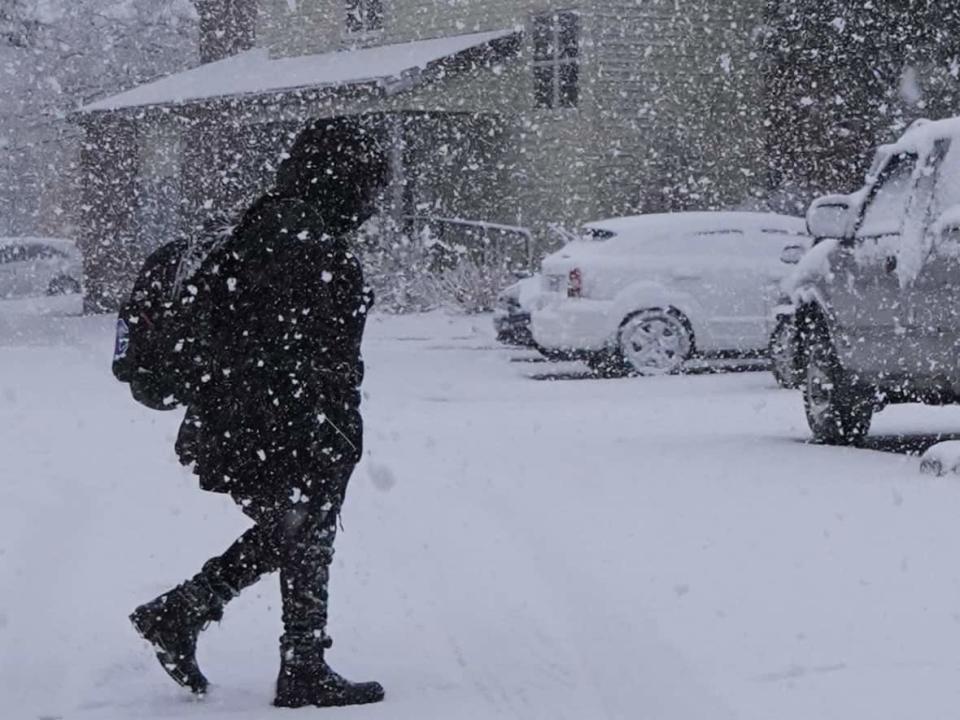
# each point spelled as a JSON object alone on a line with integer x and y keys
{"x": 668, "y": 116}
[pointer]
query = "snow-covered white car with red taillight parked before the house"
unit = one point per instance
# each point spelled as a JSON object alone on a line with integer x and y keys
{"x": 640, "y": 295}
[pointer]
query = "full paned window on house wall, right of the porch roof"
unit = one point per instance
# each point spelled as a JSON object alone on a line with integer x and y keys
{"x": 556, "y": 59}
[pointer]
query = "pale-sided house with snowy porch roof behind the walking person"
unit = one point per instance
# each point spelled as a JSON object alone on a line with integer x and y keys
{"x": 517, "y": 112}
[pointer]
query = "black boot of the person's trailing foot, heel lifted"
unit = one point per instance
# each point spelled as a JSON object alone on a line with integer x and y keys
{"x": 172, "y": 622}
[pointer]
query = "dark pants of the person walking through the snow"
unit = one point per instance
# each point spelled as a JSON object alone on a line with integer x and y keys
{"x": 294, "y": 536}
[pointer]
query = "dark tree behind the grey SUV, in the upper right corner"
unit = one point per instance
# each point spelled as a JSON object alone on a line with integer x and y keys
{"x": 845, "y": 75}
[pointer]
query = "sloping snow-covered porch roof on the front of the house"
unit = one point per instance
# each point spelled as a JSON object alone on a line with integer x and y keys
{"x": 255, "y": 73}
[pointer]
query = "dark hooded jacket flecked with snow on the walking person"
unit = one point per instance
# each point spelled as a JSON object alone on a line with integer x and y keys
{"x": 282, "y": 307}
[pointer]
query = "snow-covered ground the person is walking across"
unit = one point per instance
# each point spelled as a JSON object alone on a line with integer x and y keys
{"x": 664, "y": 548}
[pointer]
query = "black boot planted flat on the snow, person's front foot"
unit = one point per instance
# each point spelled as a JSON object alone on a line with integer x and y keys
{"x": 306, "y": 679}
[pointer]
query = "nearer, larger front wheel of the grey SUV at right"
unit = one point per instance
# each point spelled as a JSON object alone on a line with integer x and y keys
{"x": 839, "y": 410}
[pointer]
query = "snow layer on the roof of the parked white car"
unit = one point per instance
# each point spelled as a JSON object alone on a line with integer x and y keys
{"x": 686, "y": 222}
